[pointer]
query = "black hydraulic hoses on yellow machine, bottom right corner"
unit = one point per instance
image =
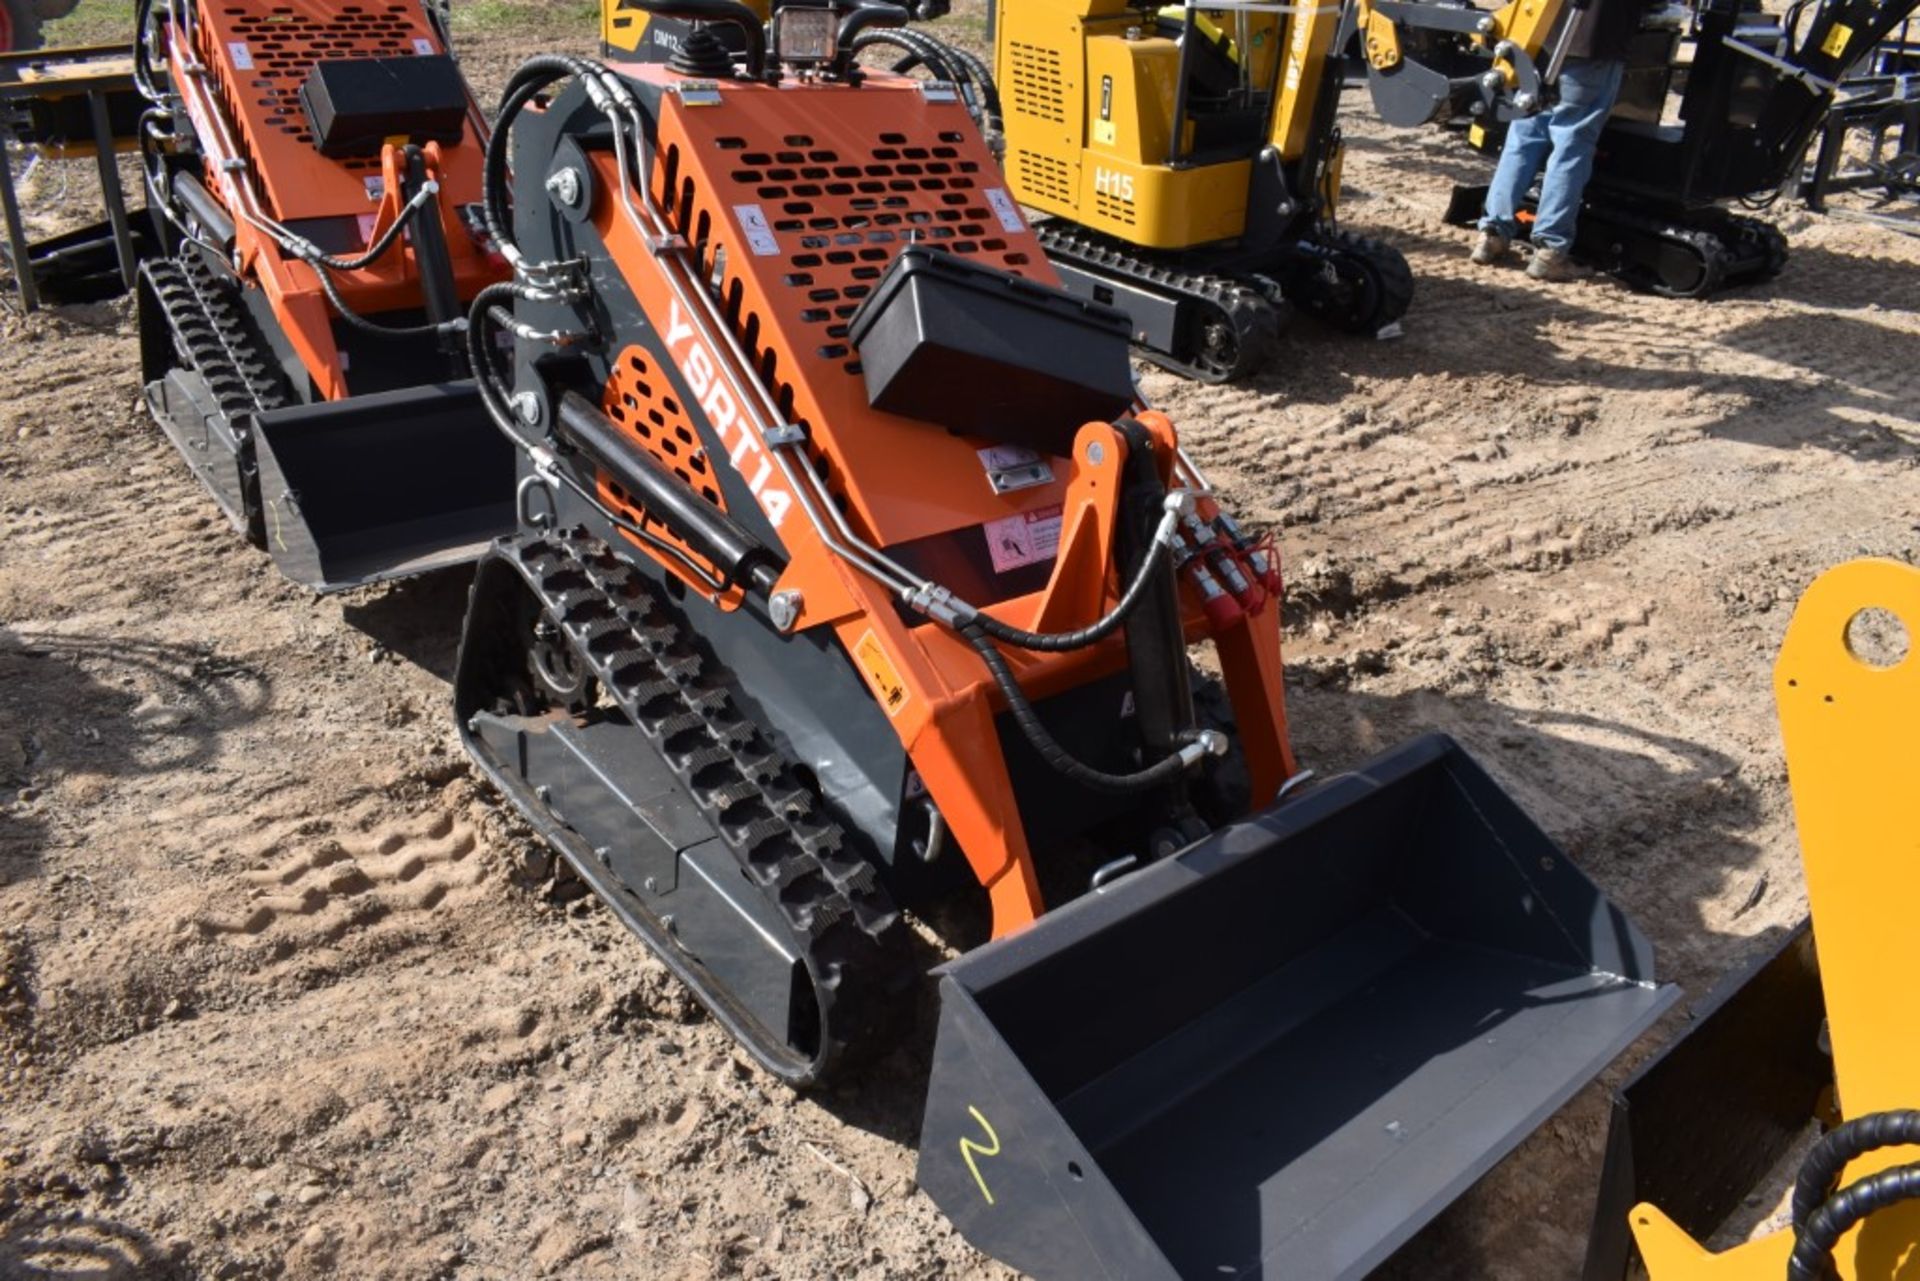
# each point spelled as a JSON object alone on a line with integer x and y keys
{"x": 1823, "y": 1215}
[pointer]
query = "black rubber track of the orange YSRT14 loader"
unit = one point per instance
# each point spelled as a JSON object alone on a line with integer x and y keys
{"x": 838, "y": 917}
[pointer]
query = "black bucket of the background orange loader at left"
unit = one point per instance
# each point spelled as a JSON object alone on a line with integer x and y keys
{"x": 383, "y": 487}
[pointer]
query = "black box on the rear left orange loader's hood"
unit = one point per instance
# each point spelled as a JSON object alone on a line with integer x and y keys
{"x": 356, "y": 105}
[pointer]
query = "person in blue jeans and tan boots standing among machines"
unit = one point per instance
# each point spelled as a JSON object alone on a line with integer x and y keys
{"x": 1560, "y": 139}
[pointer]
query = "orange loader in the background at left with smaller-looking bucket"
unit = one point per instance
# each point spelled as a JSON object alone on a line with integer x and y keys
{"x": 312, "y": 168}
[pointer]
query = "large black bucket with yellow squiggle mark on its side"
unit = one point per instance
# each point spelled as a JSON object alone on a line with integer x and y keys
{"x": 1285, "y": 1050}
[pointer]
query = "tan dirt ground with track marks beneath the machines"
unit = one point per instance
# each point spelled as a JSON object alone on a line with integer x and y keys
{"x": 277, "y": 998}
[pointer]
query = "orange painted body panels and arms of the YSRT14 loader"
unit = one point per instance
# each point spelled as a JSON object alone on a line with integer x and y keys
{"x": 900, "y": 481}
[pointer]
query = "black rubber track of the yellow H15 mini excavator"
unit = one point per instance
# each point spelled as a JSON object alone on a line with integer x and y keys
{"x": 1234, "y": 333}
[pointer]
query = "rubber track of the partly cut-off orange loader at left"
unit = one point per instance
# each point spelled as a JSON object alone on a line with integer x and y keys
{"x": 216, "y": 358}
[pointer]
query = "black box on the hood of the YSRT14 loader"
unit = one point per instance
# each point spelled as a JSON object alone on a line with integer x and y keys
{"x": 984, "y": 352}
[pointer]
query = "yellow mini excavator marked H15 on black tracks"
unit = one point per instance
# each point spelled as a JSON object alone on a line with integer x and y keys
{"x": 1191, "y": 164}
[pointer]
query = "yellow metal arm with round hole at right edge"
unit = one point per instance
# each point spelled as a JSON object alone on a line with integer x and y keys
{"x": 1852, "y": 729}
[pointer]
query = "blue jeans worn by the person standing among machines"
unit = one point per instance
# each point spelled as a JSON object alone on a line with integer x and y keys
{"x": 1564, "y": 141}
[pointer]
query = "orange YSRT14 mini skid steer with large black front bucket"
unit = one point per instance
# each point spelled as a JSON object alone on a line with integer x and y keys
{"x": 853, "y": 581}
